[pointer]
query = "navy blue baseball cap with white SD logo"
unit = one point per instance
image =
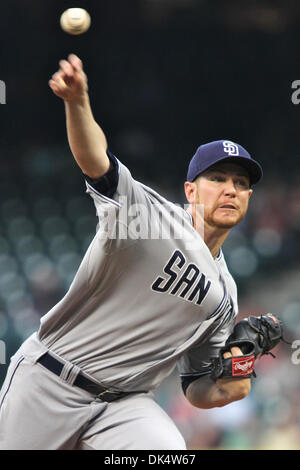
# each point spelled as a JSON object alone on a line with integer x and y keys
{"x": 221, "y": 151}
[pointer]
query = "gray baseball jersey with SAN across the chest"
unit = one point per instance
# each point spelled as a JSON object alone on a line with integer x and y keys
{"x": 147, "y": 295}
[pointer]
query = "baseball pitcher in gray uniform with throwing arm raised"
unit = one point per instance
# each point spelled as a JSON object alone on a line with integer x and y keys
{"x": 153, "y": 291}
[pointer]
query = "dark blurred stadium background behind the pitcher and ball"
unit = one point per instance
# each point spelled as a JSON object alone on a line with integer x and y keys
{"x": 165, "y": 76}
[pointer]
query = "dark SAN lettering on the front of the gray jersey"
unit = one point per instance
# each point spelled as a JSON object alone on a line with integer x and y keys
{"x": 185, "y": 281}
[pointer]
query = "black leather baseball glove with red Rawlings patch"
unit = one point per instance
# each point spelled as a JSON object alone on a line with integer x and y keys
{"x": 254, "y": 336}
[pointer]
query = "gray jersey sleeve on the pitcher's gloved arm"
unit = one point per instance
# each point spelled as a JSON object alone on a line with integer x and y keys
{"x": 196, "y": 362}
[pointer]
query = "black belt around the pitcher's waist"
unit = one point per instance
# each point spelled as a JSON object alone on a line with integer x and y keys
{"x": 81, "y": 381}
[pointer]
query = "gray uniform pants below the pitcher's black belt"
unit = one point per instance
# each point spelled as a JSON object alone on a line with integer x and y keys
{"x": 41, "y": 411}
